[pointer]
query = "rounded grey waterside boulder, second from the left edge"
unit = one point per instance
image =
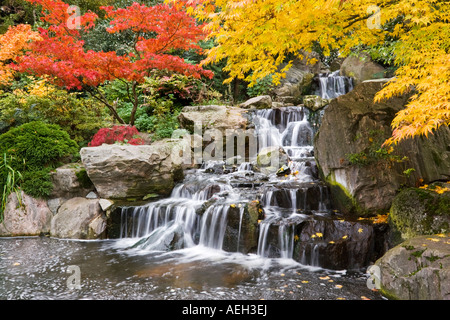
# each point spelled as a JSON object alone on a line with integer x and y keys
{"x": 79, "y": 218}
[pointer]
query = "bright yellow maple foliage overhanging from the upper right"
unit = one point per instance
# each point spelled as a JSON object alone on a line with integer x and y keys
{"x": 261, "y": 37}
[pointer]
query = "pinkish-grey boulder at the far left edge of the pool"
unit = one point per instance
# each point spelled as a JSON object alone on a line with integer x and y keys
{"x": 27, "y": 217}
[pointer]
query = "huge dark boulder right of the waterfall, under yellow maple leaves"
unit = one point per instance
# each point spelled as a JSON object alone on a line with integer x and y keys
{"x": 362, "y": 180}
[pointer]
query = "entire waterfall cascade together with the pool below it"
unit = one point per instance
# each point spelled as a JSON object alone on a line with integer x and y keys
{"x": 198, "y": 243}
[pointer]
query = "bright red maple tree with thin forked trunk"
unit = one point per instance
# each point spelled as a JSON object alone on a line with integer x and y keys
{"x": 157, "y": 32}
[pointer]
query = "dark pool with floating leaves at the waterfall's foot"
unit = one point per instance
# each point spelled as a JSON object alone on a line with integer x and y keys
{"x": 37, "y": 268}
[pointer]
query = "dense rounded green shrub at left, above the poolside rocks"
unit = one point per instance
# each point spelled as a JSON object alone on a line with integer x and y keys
{"x": 34, "y": 149}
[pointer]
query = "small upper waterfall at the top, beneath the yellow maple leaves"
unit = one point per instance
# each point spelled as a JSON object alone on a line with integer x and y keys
{"x": 333, "y": 85}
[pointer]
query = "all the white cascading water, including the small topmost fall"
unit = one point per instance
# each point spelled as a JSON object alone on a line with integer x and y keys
{"x": 288, "y": 197}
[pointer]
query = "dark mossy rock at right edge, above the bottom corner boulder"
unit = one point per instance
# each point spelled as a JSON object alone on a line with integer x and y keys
{"x": 421, "y": 211}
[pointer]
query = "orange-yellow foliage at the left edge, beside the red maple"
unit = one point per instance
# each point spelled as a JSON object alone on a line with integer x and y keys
{"x": 12, "y": 43}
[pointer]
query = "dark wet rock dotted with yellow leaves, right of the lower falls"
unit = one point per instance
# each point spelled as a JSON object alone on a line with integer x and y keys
{"x": 328, "y": 243}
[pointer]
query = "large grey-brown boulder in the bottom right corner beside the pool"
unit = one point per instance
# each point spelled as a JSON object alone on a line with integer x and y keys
{"x": 417, "y": 269}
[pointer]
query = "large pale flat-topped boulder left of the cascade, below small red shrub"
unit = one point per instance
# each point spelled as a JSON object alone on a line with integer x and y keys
{"x": 128, "y": 171}
